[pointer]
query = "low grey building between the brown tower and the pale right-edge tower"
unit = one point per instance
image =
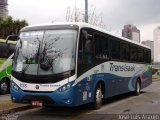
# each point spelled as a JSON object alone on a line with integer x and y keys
{"x": 149, "y": 43}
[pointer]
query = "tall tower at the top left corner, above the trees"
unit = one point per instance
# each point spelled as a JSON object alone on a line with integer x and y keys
{"x": 3, "y": 8}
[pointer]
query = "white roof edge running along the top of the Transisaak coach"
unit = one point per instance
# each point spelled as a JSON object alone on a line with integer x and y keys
{"x": 83, "y": 25}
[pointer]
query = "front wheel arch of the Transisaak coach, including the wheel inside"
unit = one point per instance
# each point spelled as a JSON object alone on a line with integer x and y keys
{"x": 99, "y": 94}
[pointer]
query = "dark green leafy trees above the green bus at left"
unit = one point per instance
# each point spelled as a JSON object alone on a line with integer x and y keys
{"x": 8, "y": 26}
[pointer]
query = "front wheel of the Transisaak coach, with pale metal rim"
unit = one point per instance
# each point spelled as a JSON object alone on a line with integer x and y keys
{"x": 98, "y": 98}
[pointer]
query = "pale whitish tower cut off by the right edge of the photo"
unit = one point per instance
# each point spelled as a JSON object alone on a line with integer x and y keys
{"x": 156, "y": 38}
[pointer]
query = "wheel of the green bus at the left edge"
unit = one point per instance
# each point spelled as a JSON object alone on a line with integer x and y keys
{"x": 4, "y": 86}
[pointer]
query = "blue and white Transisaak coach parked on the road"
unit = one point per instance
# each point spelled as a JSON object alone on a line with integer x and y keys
{"x": 70, "y": 64}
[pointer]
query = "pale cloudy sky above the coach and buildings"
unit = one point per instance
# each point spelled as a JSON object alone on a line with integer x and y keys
{"x": 144, "y": 14}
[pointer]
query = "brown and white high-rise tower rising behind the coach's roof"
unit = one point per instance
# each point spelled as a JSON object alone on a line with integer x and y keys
{"x": 131, "y": 32}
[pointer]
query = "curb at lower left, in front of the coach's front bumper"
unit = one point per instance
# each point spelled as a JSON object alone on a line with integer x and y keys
{"x": 16, "y": 109}
